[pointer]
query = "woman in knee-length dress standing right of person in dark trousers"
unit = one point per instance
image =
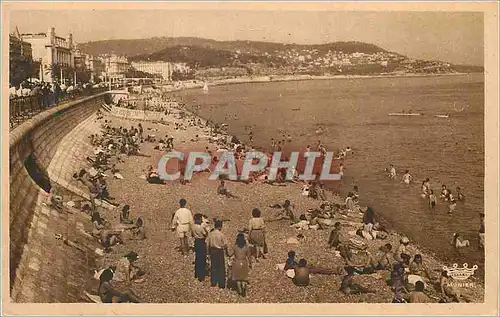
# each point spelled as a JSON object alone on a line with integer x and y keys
{"x": 241, "y": 264}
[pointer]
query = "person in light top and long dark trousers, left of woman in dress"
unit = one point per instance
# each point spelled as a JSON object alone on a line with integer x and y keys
{"x": 217, "y": 246}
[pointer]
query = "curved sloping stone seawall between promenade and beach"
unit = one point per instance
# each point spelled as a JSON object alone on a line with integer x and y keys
{"x": 37, "y": 267}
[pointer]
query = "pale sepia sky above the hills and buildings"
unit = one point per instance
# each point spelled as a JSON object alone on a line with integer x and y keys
{"x": 455, "y": 37}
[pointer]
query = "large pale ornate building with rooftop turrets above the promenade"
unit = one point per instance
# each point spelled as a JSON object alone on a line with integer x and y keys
{"x": 54, "y": 52}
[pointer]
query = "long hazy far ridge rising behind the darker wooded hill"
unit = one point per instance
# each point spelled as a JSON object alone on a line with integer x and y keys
{"x": 147, "y": 46}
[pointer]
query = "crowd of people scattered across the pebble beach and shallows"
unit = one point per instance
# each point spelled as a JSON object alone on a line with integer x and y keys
{"x": 226, "y": 261}
